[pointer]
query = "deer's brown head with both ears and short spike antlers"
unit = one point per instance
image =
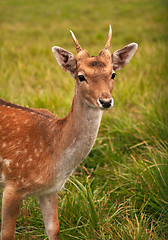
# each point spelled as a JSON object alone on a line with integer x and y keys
{"x": 95, "y": 75}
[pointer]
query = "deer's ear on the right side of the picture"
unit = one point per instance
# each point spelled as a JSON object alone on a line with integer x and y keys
{"x": 121, "y": 57}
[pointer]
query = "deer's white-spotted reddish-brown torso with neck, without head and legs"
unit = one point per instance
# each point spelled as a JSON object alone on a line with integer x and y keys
{"x": 37, "y": 148}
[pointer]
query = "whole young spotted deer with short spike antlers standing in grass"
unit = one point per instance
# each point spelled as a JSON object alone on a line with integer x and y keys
{"x": 38, "y": 151}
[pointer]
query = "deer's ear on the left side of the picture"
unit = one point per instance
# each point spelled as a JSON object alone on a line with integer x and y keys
{"x": 65, "y": 59}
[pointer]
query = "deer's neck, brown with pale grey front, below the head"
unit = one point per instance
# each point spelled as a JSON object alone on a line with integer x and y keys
{"x": 80, "y": 132}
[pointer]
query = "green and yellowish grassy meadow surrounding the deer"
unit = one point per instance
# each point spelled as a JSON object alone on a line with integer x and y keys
{"x": 121, "y": 190}
